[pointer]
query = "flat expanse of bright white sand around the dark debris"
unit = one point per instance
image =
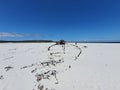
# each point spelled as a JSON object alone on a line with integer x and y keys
{"x": 97, "y": 67}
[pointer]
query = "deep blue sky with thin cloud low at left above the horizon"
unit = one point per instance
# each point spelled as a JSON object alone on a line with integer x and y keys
{"x": 60, "y": 19}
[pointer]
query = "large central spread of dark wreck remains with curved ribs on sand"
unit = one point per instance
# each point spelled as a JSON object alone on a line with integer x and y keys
{"x": 46, "y": 71}
